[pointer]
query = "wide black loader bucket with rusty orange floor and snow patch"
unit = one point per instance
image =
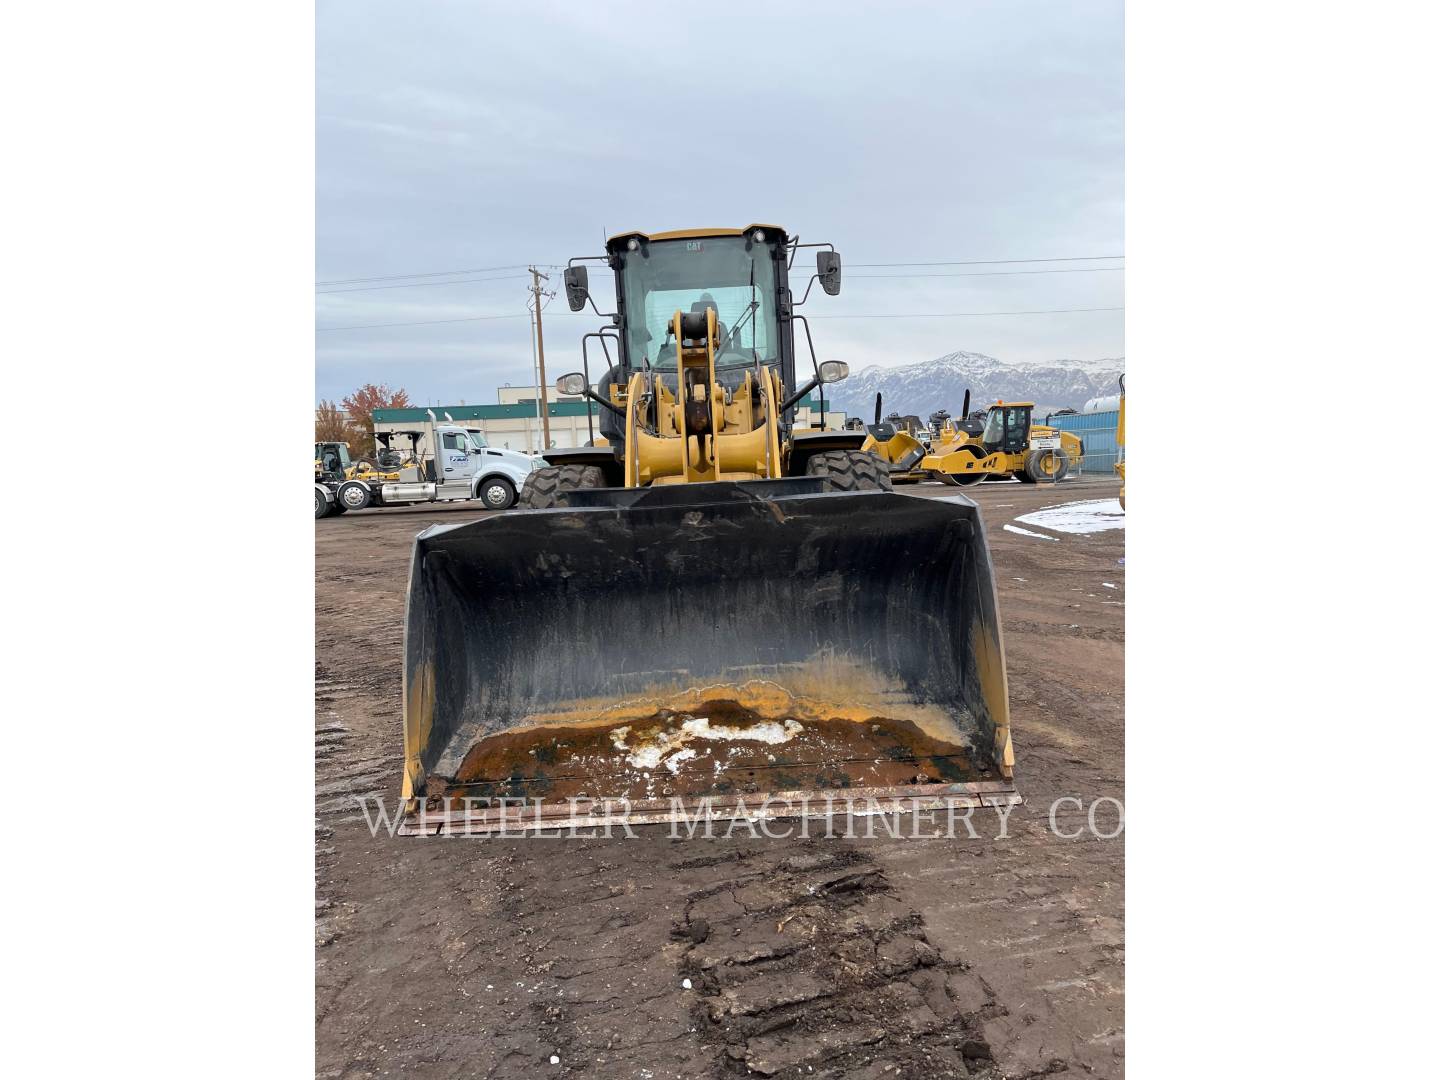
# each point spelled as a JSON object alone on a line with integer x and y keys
{"x": 705, "y": 650}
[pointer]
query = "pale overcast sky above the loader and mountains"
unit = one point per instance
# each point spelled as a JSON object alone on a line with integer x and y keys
{"x": 486, "y": 138}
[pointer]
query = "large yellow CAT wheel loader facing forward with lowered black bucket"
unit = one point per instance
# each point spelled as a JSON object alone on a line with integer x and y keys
{"x": 714, "y": 614}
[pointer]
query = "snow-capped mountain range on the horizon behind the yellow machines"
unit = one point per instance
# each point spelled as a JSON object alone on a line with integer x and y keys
{"x": 941, "y": 384}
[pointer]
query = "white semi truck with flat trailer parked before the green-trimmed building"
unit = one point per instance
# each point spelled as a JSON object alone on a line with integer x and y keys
{"x": 457, "y": 466}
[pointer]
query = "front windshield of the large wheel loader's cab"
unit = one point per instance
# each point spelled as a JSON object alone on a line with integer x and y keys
{"x": 732, "y": 274}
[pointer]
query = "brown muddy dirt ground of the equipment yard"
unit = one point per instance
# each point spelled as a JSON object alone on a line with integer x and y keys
{"x": 1000, "y": 957}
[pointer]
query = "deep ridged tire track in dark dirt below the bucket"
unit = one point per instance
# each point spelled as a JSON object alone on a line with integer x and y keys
{"x": 811, "y": 966}
